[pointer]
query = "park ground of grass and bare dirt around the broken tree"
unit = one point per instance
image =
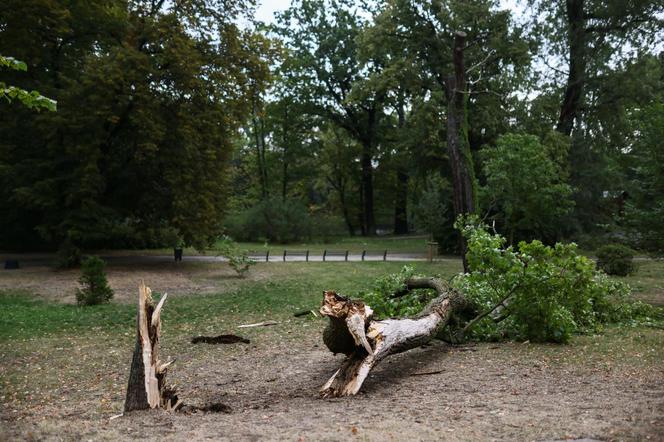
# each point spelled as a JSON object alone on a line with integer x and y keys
{"x": 62, "y": 363}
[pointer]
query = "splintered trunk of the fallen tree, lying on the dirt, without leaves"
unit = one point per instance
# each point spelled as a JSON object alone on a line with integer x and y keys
{"x": 367, "y": 342}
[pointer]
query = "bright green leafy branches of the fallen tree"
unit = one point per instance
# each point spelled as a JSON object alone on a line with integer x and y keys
{"x": 529, "y": 292}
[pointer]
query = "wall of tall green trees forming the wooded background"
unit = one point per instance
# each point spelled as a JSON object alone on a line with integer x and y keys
{"x": 178, "y": 121}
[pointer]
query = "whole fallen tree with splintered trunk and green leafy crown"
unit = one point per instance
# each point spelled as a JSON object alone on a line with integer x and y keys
{"x": 531, "y": 292}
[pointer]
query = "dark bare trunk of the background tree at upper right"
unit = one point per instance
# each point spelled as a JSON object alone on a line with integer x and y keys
{"x": 570, "y": 109}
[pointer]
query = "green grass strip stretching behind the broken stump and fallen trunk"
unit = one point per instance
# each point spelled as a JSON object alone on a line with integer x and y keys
{"x": 298, "y": 286}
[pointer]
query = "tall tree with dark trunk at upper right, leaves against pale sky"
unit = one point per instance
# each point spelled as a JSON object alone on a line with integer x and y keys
{"x": 586, "y": 40}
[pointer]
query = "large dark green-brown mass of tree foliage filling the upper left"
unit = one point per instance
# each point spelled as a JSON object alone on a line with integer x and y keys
{"x": 151, "y": 96}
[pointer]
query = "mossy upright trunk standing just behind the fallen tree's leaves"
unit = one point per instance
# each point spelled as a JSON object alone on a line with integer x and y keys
{"x": 458, "y": 148}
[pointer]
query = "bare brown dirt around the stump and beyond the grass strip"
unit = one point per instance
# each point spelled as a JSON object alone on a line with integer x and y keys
{"x": 606, "y": 387}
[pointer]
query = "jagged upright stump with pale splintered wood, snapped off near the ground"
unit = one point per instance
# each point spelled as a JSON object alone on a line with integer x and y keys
{"x": 147, "y": 387}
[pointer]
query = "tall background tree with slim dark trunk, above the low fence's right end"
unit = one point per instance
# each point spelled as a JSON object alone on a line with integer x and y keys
{"x": 321, "y": 36}
